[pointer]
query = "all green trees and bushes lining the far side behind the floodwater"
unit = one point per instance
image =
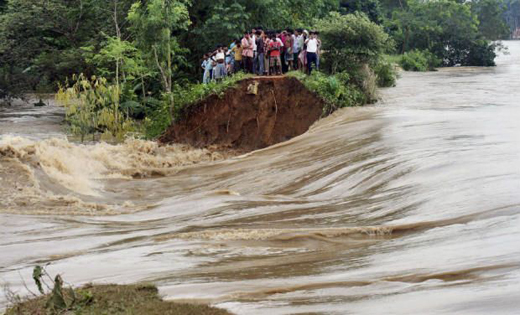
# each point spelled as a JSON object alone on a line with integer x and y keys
{"x": 124, "y": 67}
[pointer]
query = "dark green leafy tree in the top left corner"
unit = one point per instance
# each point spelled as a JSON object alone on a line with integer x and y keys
{"x": 41, "y": 41}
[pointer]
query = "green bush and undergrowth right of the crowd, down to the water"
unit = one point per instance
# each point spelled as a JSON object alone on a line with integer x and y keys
{"x": 353, "y": 66}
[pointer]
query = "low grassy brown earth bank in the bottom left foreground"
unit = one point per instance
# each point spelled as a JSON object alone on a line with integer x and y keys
{"x": 109, "y": 299}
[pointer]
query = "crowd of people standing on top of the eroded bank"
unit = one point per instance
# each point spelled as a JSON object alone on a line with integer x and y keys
{"x": 264, "y": 53}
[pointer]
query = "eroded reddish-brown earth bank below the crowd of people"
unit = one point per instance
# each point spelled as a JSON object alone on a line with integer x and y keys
{"x": 257, "y": 113}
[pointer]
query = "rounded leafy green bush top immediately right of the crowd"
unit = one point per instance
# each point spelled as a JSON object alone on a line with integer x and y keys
{"x": 351, "y": 41}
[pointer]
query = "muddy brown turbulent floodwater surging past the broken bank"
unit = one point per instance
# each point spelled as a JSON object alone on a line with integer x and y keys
{"x": 409, "y": 206}
